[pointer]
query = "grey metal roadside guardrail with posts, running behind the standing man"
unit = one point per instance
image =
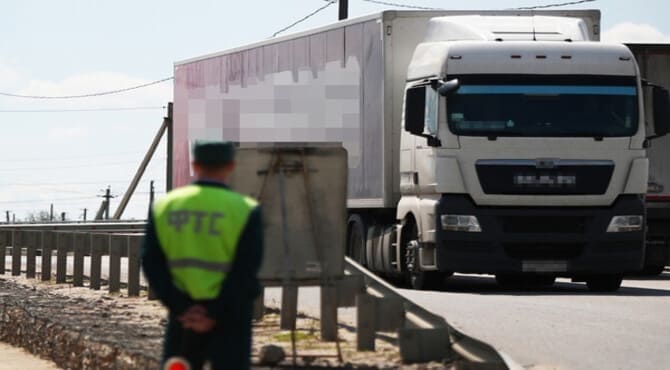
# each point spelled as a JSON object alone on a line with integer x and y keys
{"x": 422, "y": 335}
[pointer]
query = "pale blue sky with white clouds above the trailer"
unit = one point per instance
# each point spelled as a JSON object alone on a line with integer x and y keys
{"x": 50, "y": 154}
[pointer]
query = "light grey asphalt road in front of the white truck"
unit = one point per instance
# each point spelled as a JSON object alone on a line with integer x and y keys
{"x": 563, "y": 327}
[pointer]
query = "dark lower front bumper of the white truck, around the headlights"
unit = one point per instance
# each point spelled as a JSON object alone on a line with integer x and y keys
{"x": 565, "y": 241}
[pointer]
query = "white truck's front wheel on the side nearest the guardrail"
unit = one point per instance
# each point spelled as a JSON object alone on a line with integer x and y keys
{"x": 417, "y": 279}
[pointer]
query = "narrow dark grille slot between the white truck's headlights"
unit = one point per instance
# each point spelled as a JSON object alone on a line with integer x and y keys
{"x": 543, "y": 224}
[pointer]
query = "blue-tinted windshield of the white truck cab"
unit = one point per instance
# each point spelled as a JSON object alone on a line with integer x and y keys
{"x": 549, "y": 110}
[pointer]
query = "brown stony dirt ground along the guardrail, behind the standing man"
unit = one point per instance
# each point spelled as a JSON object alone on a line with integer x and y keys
{"x": 82, "y": 328}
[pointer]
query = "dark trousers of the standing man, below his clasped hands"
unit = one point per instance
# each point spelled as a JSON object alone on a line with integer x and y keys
{"x": 227, "y": 346}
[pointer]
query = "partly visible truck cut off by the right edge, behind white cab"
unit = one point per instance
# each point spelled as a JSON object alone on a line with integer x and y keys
{"x": 654, "y": 63}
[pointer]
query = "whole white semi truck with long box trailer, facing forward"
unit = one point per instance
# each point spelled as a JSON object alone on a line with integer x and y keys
{"x": 510, "y": 143}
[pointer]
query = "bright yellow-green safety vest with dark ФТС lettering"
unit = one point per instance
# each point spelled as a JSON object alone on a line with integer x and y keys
{"x": 198, "y": 227}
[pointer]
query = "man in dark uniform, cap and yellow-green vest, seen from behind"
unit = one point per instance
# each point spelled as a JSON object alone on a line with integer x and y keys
{"x": 201, "y": 256}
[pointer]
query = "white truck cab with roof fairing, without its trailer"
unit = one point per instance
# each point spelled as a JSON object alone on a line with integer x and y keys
{"x": 526, "y": 152}
